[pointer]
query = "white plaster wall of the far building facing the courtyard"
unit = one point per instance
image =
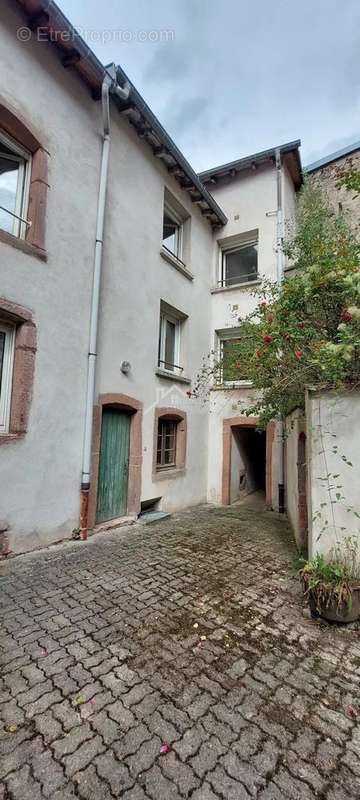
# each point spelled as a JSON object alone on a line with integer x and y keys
{"x": 249, "y": 201}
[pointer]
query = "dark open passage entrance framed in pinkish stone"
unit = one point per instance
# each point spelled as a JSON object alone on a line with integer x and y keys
{"x": 248, "y": 462}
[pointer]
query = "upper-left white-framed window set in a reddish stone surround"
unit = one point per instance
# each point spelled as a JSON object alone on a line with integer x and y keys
{"x": 15, "y": 165}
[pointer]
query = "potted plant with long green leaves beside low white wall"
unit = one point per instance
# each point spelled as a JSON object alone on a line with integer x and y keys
{"x": 332, "y": 584}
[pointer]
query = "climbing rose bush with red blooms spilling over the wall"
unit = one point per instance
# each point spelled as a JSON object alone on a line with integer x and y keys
{"x": 308, "y": 331}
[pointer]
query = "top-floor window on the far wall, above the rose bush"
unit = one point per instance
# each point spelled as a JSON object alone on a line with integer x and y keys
{"x": 239, "y": 263}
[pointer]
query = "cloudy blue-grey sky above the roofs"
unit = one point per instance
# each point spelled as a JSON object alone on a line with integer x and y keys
{"x": 228, "y": 78}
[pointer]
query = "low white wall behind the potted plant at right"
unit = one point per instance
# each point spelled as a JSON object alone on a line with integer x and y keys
{"x": 332, "y": 421}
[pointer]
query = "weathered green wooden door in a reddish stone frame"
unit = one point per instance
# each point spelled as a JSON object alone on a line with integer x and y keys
{"x": 114, "y": 465}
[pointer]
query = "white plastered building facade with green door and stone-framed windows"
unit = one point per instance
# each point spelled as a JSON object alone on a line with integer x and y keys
{"x": 179, "y": 257}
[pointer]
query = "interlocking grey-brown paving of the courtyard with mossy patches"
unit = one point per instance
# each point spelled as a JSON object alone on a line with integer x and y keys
{"x": 189, "y": 632}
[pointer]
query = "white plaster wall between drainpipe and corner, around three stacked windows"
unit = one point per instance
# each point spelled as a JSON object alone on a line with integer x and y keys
{"x": 135, "y": 279}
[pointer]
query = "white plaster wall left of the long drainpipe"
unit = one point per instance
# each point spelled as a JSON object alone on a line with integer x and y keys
{"x": 40, "y": 475}
